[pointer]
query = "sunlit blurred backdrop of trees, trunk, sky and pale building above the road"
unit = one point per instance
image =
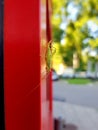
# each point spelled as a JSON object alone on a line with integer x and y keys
{"x": 75, "y": 35}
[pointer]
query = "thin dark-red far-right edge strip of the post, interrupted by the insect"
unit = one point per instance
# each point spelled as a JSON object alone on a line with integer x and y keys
{"x": 49, "y": 81}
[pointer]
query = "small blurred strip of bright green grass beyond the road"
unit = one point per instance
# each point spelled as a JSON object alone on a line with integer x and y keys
{"x": 78, "y": 81}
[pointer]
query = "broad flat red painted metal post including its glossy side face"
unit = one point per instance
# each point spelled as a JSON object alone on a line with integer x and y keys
{"x": 26, "y": 103}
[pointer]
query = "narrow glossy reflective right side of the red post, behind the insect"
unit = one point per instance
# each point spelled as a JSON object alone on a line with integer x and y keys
{"x": 46, "y": 86}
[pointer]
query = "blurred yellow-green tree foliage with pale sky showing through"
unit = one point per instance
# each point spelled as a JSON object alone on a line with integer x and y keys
{"x": 70, "y": 22}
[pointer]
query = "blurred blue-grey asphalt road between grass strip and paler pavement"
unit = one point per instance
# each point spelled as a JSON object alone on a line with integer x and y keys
{"x": 85, "y": 95}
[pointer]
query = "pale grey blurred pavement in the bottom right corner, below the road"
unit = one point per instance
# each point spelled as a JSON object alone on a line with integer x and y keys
{"x": 76, "y": 117}
